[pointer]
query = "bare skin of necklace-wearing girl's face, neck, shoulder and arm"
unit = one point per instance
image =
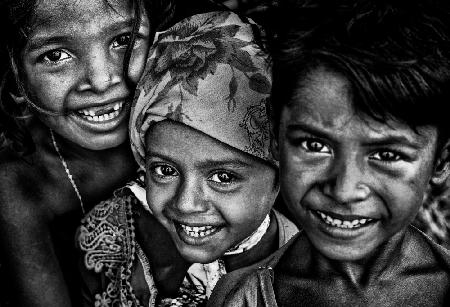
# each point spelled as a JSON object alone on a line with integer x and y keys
{"x": 73, "y": 60}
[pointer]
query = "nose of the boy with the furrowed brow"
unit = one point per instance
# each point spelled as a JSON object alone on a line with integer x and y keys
{"x": 347, "y": 182}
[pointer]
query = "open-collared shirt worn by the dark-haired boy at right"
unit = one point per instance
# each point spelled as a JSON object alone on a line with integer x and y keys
{"x": 425, "y": 266}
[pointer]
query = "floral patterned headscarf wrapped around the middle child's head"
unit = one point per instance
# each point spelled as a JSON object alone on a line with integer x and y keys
{"x": 208, "y": 73}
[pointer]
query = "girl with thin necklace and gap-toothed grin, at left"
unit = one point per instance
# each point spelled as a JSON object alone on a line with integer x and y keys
{"x": 64, "y": 127}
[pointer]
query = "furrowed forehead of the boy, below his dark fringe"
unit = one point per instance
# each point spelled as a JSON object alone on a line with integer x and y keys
{"x": 323, "y": 100}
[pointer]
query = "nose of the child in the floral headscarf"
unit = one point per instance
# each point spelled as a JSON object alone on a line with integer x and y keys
{"x": 190, "y": 198}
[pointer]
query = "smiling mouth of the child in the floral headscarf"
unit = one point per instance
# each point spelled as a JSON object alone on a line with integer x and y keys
{"x": 196, "y": 234}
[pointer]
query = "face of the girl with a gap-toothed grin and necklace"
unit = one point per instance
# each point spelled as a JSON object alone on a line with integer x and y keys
{"x": 73, "y": 65}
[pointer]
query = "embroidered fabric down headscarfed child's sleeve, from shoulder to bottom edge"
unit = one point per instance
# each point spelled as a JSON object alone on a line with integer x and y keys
{"x": 106, "y": 237}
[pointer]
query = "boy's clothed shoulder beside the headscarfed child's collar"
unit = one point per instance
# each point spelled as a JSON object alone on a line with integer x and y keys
{"x": 249, "y": 283}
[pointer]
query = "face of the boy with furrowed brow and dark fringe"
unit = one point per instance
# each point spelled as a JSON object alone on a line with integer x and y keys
{"x": 351, "y": 182}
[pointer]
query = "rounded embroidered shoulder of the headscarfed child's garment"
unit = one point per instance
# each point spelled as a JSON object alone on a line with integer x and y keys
{"x": 106, "y": 234}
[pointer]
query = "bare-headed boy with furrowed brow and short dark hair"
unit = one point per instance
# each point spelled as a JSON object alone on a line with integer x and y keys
{"x": 361, "y": 133}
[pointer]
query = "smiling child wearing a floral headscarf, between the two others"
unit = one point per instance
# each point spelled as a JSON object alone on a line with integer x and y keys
{"x": 199, "y": 128}
